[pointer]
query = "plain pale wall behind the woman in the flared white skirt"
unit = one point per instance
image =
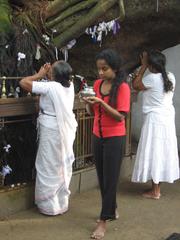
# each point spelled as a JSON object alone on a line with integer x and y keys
{"x": 173, "y": 65}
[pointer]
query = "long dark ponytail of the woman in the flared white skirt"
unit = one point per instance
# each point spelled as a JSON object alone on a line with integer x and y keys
{"x": 157, "y": 61}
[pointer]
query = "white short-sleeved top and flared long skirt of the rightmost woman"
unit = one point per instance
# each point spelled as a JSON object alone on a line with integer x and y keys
{"x": 157, "y": 154}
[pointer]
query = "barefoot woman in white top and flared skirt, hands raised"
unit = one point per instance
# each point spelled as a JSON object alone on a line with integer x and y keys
{"x": 157, "y": 155}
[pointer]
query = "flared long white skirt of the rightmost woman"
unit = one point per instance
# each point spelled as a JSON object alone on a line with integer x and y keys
{"x": 157, "y": 154}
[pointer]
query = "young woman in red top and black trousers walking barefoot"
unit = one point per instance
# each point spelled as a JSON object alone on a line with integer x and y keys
{"x": 110, "y": 106}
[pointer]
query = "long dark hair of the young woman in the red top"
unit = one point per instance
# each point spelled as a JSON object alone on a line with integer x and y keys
{"x": 115, "y": 62}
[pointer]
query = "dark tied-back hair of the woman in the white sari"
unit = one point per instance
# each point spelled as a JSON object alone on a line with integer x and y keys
{"x": 61, "y": 73}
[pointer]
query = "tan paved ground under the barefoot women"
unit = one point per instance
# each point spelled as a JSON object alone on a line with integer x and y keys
{"x": 140, "y": 219}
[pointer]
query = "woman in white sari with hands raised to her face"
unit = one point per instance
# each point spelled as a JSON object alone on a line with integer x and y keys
{"x": 56, "y": 131}
